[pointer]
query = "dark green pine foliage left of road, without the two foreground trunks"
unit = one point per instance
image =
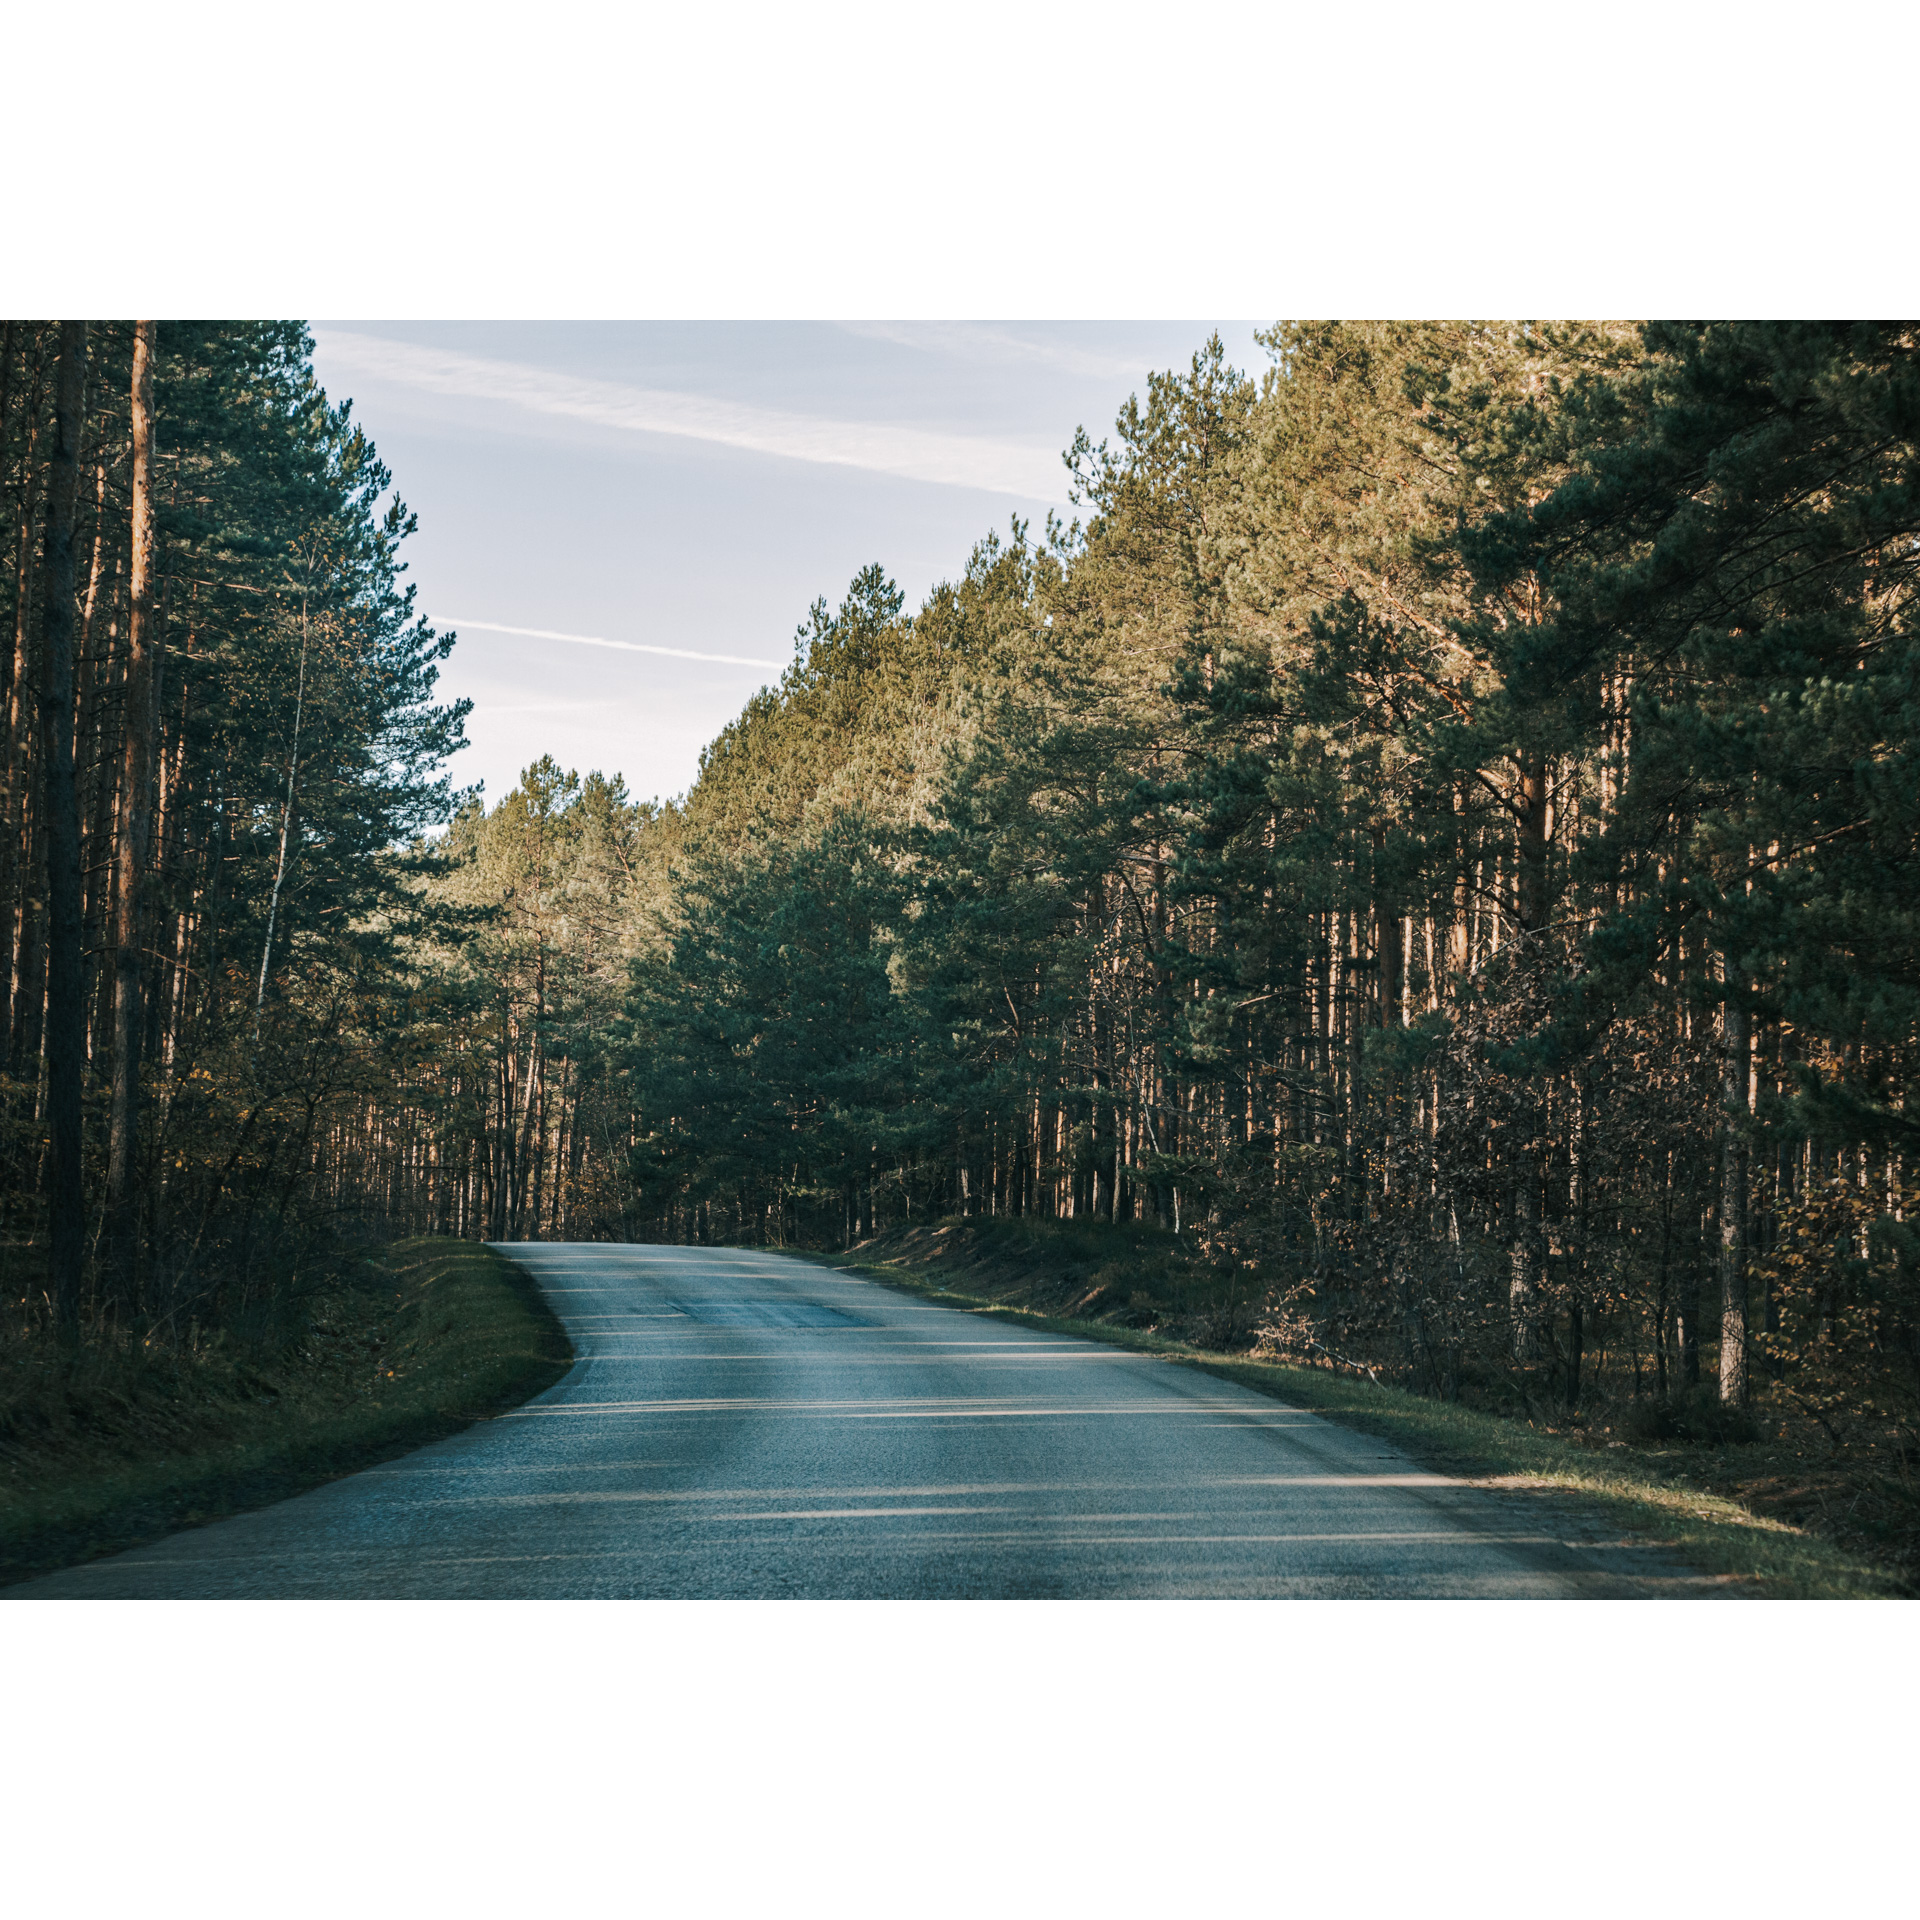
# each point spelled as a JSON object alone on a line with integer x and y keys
{"x": 300, "y": 756}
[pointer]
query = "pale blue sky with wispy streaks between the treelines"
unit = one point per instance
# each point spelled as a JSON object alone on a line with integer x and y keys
{"x": 675, "y": 496}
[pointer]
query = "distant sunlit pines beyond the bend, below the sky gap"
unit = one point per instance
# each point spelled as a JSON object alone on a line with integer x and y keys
{"x": 510, "y": 1115}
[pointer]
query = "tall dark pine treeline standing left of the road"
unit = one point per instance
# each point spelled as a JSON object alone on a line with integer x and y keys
{"x": 220, "y": 744}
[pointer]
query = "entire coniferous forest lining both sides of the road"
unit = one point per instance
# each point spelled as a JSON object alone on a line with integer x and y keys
{"x": 1435, "y": 842}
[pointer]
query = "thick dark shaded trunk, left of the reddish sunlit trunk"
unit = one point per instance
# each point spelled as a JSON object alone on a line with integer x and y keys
{"x": 66, "y": 982}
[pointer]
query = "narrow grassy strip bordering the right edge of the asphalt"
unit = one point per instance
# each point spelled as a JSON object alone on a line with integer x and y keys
{"x": 1727, "y": 1543}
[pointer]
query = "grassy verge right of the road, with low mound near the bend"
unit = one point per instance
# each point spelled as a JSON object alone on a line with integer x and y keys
{"x": 1643, "y": 1499}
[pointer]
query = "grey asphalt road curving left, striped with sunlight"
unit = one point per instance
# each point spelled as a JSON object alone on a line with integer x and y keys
{"x": 752, "y": 1426}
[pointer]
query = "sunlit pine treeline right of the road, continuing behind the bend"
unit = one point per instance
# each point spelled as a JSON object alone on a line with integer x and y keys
{"x": 1439, "y": 834}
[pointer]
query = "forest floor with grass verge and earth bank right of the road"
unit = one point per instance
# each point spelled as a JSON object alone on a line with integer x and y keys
{"x": 1781, "y": 1516}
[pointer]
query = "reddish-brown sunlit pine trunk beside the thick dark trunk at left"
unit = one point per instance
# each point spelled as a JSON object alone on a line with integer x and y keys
{"x": 141, "y": 725}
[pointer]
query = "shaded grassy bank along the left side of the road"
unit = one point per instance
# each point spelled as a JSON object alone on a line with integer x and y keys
{"x": 112, "y": 1454}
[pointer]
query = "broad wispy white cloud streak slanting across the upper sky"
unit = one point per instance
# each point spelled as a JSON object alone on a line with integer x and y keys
{"x": 878, "y": 446}
